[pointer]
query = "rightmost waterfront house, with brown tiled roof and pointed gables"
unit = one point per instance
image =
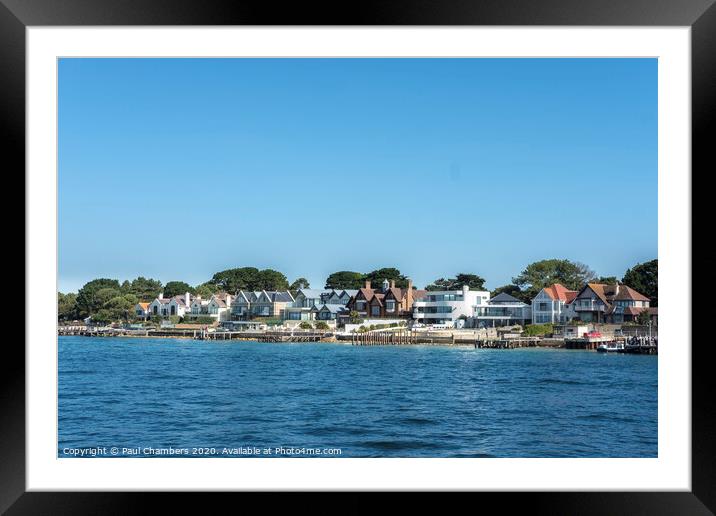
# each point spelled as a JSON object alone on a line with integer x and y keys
{"x": 602, "y": 303}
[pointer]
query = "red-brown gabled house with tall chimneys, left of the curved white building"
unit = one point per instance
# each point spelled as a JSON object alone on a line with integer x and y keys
{"x": 389, "y": 301}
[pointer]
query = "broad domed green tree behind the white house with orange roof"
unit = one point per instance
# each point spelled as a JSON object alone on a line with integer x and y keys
{"x": 538, "y": 275}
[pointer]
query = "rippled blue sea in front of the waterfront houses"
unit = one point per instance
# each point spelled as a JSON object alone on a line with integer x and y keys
{"x": 178, "y": 398}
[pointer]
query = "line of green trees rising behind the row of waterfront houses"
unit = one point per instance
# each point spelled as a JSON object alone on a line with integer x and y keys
{"x": 107, "y": 299}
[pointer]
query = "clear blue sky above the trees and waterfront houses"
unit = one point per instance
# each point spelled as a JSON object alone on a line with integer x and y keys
{"x": 179, "y": 168}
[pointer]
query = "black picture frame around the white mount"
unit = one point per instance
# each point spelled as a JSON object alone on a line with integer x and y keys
{"x": 700, "y": 15}
